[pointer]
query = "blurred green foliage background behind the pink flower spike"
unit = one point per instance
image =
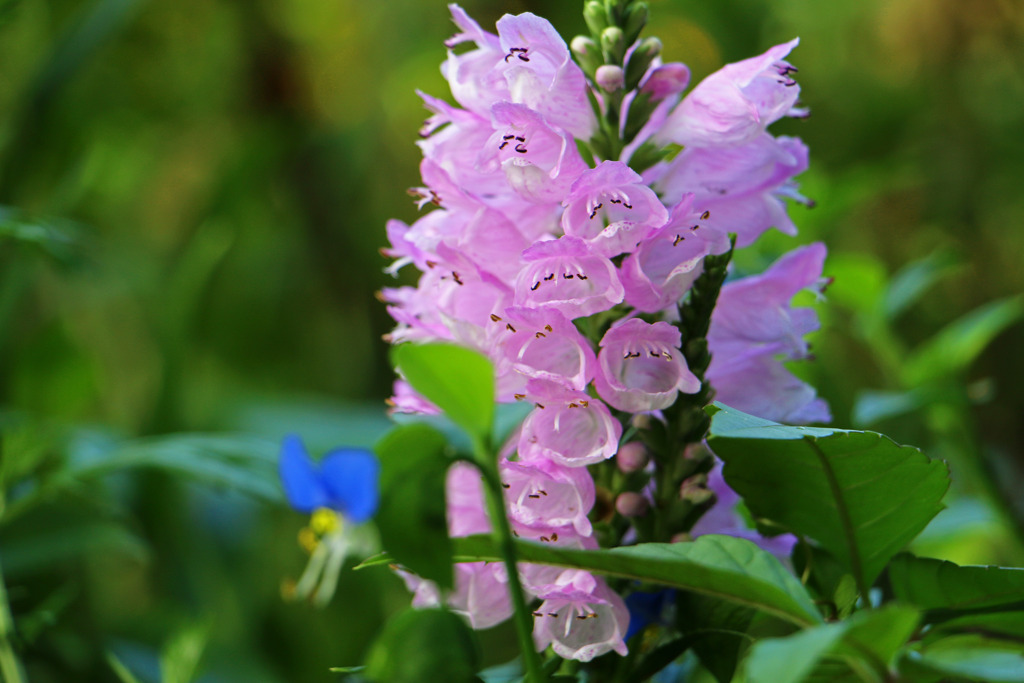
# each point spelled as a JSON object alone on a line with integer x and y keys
{"x": 193, "y": 195}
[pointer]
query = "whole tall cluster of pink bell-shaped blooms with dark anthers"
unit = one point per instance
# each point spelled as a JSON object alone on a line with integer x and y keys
{"x": 525, "y": 239}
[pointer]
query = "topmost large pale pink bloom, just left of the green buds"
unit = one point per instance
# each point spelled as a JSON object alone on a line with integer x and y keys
{"x": 541, "y": 74}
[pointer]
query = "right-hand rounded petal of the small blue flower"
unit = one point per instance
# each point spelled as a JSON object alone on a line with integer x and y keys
{"x": 351, "y": 477}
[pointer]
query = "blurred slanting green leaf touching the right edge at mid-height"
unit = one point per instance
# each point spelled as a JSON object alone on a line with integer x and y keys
{"x": 957, "y": 347}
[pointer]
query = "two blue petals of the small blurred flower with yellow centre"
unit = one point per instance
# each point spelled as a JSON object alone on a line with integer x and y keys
{"x": 346, "y": 481}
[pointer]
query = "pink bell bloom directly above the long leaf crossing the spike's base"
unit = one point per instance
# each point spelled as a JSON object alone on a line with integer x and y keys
{"x": 546, "y": 496}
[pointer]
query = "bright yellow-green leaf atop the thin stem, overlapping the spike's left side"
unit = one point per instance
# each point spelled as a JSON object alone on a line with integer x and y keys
{"x": 459, "y": 381}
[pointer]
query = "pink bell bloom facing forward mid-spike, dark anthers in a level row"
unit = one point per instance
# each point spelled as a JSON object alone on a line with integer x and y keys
{"x": 567, "y": 276}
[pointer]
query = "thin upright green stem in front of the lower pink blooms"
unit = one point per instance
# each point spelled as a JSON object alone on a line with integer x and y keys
{"x": 488, "y": 464}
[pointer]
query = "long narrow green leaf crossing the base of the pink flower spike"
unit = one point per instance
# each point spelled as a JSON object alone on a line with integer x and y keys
{"x": 728, "y": 568}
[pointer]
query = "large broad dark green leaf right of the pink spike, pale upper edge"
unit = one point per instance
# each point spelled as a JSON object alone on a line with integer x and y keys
{"x": 861, "y": 495}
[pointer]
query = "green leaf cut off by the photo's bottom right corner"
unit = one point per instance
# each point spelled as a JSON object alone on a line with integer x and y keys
{"x": 972, "y": 657}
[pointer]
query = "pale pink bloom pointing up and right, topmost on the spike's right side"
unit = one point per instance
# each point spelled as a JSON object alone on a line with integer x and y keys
{"x": 737, "y": 103}
